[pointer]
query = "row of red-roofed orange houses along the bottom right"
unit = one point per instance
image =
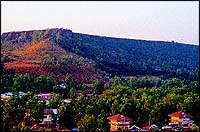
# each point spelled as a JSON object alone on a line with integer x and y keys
{"x": 179, "y": 121}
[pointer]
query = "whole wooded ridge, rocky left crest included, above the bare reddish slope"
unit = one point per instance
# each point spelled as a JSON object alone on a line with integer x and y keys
{"x": 117, "y": 56}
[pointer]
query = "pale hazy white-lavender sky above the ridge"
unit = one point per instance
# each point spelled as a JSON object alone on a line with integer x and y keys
{"x": 166, "y": 21}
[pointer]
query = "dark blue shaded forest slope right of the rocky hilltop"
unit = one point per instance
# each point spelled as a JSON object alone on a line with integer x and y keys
{"x": 132, "y": 57}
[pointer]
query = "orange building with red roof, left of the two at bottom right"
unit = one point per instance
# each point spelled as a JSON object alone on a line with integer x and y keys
{"x": 119, "y": 121}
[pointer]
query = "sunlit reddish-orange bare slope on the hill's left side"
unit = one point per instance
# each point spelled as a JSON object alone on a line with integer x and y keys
{"x": 28, "y": 59}
